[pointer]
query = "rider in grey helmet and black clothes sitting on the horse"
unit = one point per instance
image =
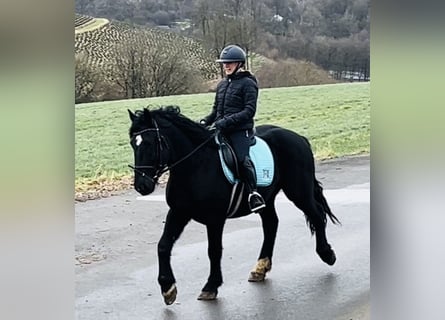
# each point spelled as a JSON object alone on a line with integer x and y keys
{"x": 233, "y": 111}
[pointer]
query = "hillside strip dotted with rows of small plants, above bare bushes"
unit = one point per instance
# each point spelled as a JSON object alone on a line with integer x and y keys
{"x": 98, "y": 40}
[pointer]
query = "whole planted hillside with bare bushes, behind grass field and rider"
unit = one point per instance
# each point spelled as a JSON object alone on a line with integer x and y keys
{"x": 116, "y": 60}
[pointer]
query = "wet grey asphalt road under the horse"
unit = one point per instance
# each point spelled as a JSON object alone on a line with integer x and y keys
{"x": 116, "y": 262}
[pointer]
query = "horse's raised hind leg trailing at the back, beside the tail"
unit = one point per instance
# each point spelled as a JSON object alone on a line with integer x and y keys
{"x": 303, "y": 194}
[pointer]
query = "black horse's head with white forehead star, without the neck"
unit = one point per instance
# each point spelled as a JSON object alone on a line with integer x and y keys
{"x": 149, "y": 147}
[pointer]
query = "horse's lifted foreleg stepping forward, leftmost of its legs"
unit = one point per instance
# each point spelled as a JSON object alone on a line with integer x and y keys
{"x": 174, "y": 225}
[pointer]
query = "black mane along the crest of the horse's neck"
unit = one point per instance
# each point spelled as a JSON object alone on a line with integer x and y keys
{"x": 166, "y": 115}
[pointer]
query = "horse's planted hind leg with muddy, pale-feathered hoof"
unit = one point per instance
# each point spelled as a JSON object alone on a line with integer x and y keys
{"x": 269, "y": 221}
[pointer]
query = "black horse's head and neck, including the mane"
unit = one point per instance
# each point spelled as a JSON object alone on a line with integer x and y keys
{"x": 161, "y": 140}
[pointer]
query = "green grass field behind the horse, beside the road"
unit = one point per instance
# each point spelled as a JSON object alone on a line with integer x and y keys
{"x": 335, "y": 118}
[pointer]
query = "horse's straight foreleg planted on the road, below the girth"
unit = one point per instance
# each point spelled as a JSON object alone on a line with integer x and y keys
{"x": 214, "y": 237}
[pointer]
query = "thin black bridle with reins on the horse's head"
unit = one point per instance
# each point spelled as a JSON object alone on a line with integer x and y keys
{"x": 162, "y": 145}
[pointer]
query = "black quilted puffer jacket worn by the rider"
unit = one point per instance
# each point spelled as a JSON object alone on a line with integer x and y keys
{"x": 235, "y": 102}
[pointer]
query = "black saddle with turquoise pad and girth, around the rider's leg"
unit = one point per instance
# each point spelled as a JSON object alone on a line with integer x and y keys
{"x": 262, "y": 159}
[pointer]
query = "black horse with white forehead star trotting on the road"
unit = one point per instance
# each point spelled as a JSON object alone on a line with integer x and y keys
{"x": 164, "y": 139}
